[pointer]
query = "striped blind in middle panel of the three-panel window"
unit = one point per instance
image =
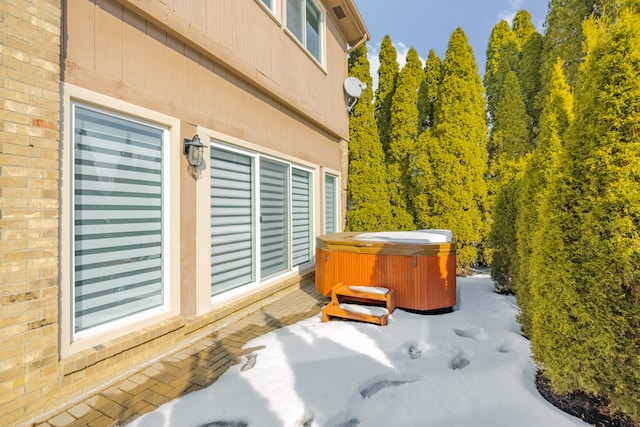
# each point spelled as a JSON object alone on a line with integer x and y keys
{"x": 273, "y": 217}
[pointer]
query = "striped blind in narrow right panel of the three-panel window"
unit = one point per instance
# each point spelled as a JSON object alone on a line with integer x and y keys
{"x": 301, "y": 216}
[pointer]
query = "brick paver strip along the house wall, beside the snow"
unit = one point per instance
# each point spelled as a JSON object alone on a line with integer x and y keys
{"x": 192, "y": 368}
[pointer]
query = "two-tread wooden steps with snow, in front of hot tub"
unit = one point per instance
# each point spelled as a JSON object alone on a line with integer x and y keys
{"x": 344, "y": 301}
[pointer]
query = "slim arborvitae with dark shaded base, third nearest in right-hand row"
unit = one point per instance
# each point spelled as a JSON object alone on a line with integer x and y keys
{"x": 511, "y": 139}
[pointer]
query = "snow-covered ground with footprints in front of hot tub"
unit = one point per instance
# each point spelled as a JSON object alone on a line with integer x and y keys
{"x": 470, "y": 367}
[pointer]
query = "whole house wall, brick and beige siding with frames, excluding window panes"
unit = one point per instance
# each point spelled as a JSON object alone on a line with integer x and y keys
{"x": 226, "y": 69}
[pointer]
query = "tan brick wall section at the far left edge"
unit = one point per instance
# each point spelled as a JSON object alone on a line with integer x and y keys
{"x": 29, "y": 143}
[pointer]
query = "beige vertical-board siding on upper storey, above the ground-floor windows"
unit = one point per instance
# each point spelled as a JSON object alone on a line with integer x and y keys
{"x": 118, "y": 52}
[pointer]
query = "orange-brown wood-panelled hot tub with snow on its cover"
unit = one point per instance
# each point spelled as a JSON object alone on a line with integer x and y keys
{"x": 419, "y": 265}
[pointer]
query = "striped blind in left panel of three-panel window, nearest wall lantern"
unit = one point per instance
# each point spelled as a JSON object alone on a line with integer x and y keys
{"x": 232, "y": 242}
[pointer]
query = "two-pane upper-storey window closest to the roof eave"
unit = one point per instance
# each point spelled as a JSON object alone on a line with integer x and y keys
{"x": 304, "y": 20}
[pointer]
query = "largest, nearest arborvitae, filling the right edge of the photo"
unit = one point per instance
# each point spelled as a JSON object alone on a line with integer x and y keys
{"x": 586, "y": 260}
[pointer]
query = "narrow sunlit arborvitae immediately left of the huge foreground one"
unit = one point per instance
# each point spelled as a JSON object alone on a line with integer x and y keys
{"x": 556, "y": 117}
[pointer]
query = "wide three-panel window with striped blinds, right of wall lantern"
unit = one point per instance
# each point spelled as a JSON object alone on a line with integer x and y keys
{"x": 261, "y": 217}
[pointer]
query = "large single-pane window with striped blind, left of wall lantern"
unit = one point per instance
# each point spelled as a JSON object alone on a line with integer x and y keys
{"x": 117, "y": 215}
